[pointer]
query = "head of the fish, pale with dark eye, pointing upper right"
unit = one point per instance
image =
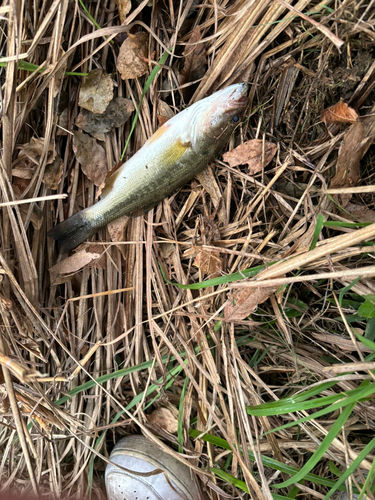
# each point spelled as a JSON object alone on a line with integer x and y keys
{"x": 216, "y": 117}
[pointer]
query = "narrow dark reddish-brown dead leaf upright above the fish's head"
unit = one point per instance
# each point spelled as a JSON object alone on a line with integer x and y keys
{"x": 195, "y": 60}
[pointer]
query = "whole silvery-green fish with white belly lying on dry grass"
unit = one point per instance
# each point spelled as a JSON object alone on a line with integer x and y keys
{"x": 172, "y": 156}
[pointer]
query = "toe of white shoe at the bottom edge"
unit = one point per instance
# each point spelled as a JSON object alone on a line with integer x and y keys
{"x": 138, "y": 454}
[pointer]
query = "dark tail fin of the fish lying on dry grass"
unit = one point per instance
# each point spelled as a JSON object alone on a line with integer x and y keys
{"x": 72, "y": 231}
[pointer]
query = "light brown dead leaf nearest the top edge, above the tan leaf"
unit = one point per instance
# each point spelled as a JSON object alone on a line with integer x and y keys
{"x": 132, "y": 60}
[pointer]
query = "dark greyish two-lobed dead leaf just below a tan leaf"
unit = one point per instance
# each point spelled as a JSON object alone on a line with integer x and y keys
{"x": 116, "y": 114}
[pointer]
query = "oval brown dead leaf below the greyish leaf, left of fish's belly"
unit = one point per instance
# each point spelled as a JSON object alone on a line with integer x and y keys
{"x": 91, "y": 156}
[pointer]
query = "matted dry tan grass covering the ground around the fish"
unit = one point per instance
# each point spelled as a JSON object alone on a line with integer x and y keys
{"x": 173, "y": 345}
